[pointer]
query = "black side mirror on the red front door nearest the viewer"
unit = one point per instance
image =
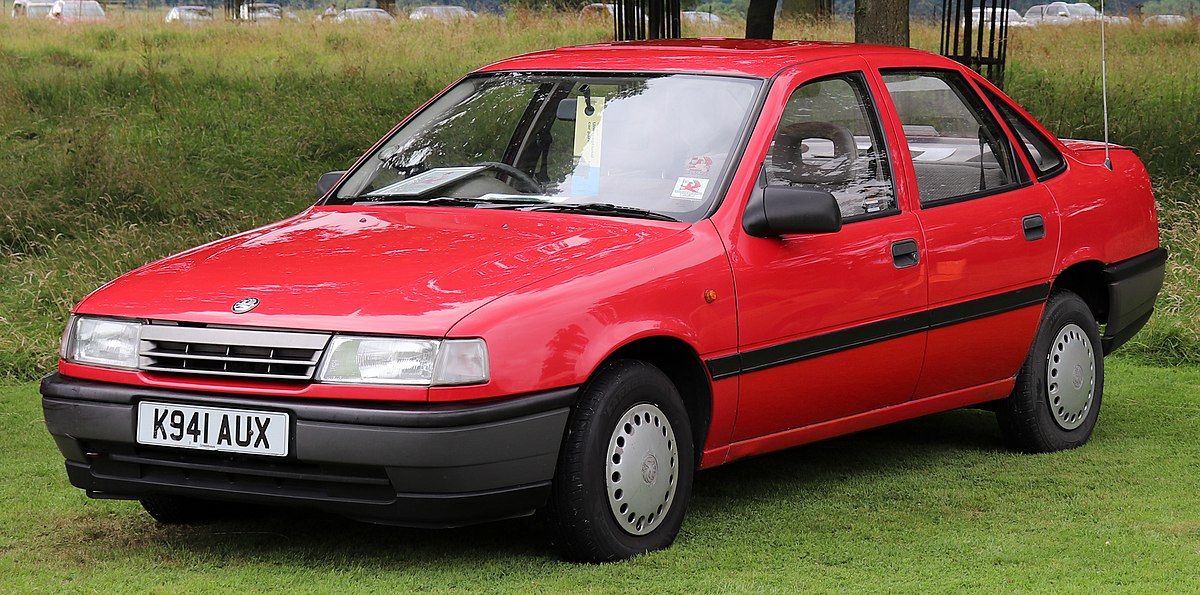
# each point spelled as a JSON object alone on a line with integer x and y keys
{"x": 781, "y": 211}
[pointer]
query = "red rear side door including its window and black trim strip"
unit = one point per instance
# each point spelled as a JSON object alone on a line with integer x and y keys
{"x": 991, "y": 230}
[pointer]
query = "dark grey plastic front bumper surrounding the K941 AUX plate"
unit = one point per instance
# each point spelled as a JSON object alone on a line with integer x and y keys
{"x": 398, "y": 464}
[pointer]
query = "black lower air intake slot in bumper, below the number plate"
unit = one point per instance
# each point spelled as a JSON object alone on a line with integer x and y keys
{"x": 242, "y": 474}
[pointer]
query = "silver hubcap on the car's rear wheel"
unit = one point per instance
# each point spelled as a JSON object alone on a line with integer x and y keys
{"x": 1071, "y": 377}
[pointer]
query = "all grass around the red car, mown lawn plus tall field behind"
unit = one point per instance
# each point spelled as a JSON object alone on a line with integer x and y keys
{"x": 124, "y": 143}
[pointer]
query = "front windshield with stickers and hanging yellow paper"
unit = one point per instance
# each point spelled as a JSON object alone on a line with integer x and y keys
{"x": 659, "y": 143}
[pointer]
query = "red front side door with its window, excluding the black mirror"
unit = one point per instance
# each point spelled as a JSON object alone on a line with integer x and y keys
{"x": 830, "y": 323}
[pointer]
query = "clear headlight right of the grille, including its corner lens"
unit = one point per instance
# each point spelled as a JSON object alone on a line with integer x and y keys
{"x": 406, "y": 362}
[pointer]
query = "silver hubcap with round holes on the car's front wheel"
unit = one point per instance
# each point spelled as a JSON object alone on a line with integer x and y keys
{"x": 644, "y": 466}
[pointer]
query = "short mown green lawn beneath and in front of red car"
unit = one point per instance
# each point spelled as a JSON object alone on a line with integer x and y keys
{"x": 931, "y": 506}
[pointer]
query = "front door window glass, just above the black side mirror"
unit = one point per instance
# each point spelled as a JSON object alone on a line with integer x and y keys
{"x": 830, "y": 137}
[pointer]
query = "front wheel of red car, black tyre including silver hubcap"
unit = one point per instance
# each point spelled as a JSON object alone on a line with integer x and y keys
{"x": 622, "y": 484}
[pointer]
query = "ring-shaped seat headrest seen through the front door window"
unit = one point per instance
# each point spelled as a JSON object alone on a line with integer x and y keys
{"x": 789, "y": 153}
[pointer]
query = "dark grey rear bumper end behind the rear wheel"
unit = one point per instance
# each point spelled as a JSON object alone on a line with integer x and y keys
{"x": 1133, "y": 287}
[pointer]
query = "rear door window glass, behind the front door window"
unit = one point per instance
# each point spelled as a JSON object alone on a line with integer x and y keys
{"x": 958, "y": 151}
